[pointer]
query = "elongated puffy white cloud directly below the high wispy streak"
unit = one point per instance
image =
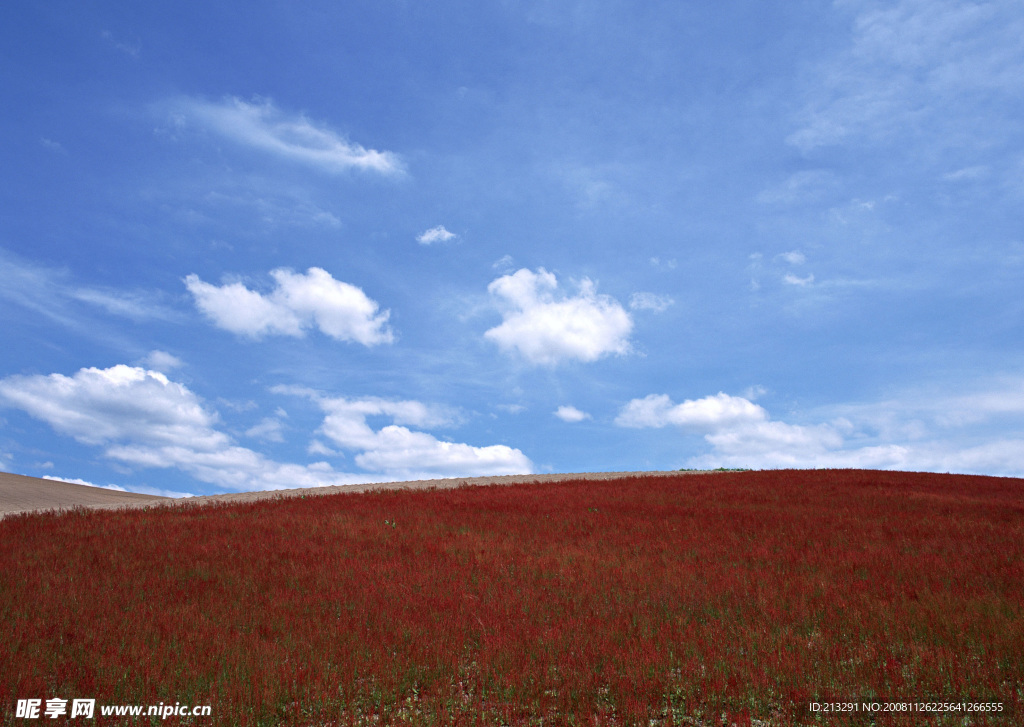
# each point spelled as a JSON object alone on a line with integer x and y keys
{"x": 300, "y": 302}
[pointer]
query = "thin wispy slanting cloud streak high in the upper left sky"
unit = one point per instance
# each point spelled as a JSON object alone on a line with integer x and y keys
{"x": 262, "y": 125}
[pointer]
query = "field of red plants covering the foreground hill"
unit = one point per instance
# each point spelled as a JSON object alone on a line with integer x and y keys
{"x": 670, "y": 601}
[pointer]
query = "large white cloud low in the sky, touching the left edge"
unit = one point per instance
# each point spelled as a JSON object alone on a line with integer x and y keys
{"x": 143, "y": 419}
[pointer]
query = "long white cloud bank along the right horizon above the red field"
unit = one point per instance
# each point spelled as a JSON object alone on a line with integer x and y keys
{"x": 925, "y": 435}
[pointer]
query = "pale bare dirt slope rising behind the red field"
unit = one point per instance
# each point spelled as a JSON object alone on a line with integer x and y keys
{"x": 21, "y": 494}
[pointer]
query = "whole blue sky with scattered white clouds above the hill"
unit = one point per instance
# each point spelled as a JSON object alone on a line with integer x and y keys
{"x": 263, "y": 245}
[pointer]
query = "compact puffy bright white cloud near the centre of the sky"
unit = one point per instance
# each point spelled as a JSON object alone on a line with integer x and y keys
{"x": 547, "y": 330}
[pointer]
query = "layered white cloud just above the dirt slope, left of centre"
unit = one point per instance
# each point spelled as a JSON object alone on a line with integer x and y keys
{"x": 401, "y": 453}
